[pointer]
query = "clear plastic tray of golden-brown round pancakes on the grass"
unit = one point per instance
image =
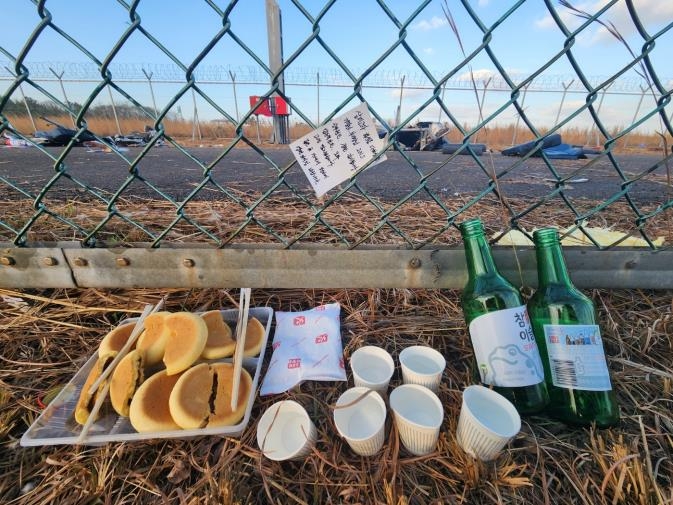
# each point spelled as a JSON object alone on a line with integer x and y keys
{"x": 174, "y": 382}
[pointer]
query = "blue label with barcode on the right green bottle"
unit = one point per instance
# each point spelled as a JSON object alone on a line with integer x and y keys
{"x": 576, "y": 357}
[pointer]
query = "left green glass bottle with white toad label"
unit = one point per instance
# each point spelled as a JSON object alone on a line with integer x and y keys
{"x": 504, "y": 345}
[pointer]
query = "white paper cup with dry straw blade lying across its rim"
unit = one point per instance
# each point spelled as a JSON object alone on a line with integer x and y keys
{"x": 360, "y": 418}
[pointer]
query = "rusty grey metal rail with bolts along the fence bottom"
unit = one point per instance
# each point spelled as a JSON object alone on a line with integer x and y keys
{"x": 272, "y": 267}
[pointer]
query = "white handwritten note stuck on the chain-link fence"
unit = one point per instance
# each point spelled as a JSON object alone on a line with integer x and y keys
{"x": 335, "y": 151}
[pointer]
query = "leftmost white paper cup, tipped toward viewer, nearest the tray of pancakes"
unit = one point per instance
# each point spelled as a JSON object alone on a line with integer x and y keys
{"x": 286, "y": 432}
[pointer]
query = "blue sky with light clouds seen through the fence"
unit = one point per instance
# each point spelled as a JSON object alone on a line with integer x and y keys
{"x": 359, "y": 32}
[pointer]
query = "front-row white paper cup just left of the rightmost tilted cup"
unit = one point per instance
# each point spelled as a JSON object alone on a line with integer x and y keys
{"x": 418, "y": 417}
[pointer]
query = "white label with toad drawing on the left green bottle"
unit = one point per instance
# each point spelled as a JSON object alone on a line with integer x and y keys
{"x": 505, "y": 348}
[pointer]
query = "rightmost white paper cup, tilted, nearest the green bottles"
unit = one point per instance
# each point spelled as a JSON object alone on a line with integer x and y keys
{"x": 487, "y": 422}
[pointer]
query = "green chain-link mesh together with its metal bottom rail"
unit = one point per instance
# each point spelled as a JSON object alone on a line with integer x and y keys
{"x": 224, "y": 265}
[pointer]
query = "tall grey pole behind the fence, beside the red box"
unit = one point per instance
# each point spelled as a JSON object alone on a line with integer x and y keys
{"x": 275, "y": 40}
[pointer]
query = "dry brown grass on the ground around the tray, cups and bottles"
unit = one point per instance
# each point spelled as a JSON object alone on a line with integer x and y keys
{"x": 45, "y": 336}
